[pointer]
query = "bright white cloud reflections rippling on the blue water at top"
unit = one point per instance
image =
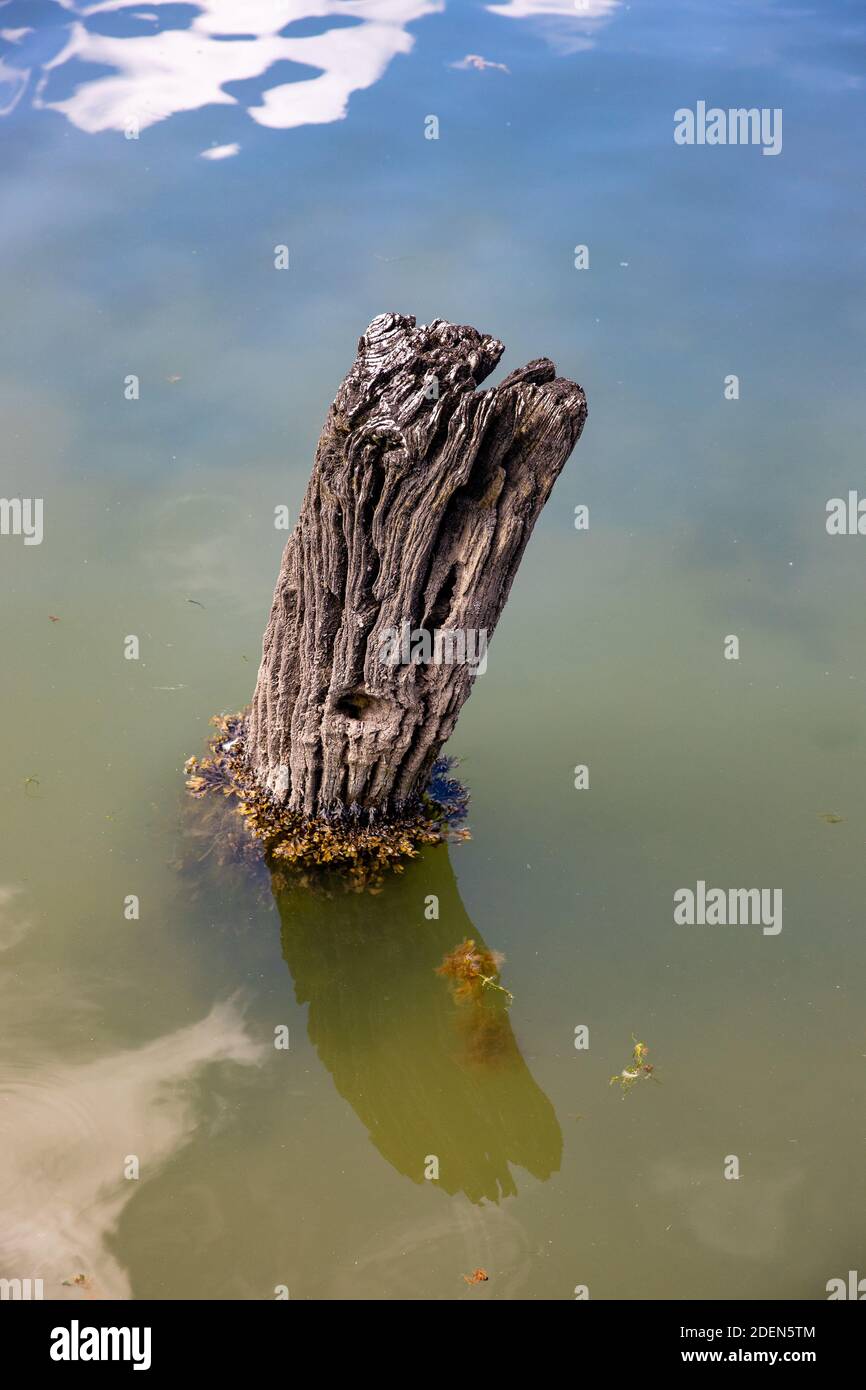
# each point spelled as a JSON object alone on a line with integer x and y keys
{"x": 181, "y": 58}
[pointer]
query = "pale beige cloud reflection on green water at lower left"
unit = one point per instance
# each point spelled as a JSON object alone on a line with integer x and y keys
{"x": 67, "y": 1131}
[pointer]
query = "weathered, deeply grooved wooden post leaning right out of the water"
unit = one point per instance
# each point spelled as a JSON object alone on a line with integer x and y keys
{"x": 422, "y": 501}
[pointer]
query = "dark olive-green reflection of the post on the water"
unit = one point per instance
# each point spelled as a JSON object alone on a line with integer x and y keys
{"x": 425, "y": 1074}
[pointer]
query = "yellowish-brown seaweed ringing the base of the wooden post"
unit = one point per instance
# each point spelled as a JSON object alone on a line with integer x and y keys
{"x": 359, "y": 847}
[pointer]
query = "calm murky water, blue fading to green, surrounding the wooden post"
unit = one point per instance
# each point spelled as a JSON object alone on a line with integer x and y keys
{"x": 155, "y": 1038}
